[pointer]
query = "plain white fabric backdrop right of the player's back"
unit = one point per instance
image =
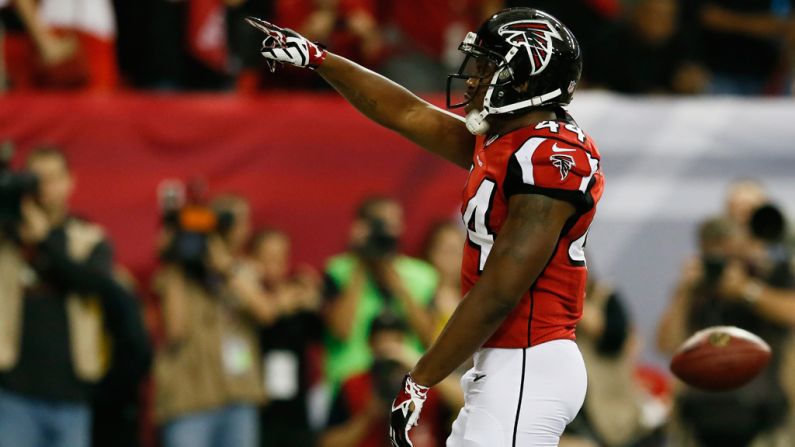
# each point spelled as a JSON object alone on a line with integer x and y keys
{"x": 667, "y": 163}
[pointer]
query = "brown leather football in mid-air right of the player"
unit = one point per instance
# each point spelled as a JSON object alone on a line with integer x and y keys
{"x": 720, "y": 358}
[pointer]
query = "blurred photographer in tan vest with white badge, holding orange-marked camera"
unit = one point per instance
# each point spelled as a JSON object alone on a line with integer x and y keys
{"x": 208, "y": 375}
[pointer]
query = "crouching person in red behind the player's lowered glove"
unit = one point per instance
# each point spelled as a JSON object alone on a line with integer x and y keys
{"x": 357, "y": 416}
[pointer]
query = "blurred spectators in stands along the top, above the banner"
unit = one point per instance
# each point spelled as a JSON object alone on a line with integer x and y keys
{"x": 741, "y": 47}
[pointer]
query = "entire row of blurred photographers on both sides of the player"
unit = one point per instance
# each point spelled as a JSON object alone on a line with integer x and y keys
{"x": 239, "y": 347}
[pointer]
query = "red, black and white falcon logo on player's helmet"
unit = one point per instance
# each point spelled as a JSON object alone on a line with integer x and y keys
{"x": 535, "y": 36}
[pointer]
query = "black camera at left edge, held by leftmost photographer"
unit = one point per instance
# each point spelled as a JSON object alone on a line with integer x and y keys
{"x": 14, "y": 186}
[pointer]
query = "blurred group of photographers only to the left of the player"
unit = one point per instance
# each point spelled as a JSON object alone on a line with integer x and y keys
{"x": 237, "y": 347}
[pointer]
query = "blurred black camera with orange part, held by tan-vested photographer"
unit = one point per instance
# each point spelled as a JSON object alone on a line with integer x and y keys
{"x": 186, "y": 213}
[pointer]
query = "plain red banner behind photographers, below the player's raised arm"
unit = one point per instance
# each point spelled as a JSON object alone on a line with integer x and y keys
{"x": 304, "y": 161}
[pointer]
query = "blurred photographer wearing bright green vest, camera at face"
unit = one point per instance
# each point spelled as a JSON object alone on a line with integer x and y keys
{"x": 370, "y": 278}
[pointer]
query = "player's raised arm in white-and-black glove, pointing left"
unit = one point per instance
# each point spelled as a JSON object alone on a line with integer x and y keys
{"x": 378, "y": 98}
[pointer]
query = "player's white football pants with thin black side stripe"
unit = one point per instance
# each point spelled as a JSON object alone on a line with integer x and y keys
{"x": 520, "y": 397}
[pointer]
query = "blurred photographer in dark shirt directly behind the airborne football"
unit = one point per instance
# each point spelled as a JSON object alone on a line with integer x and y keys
{"x": 735, "y": 281}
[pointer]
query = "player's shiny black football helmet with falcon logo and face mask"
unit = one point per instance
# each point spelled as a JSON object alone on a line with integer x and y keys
{"x": 514, "y": 47}
